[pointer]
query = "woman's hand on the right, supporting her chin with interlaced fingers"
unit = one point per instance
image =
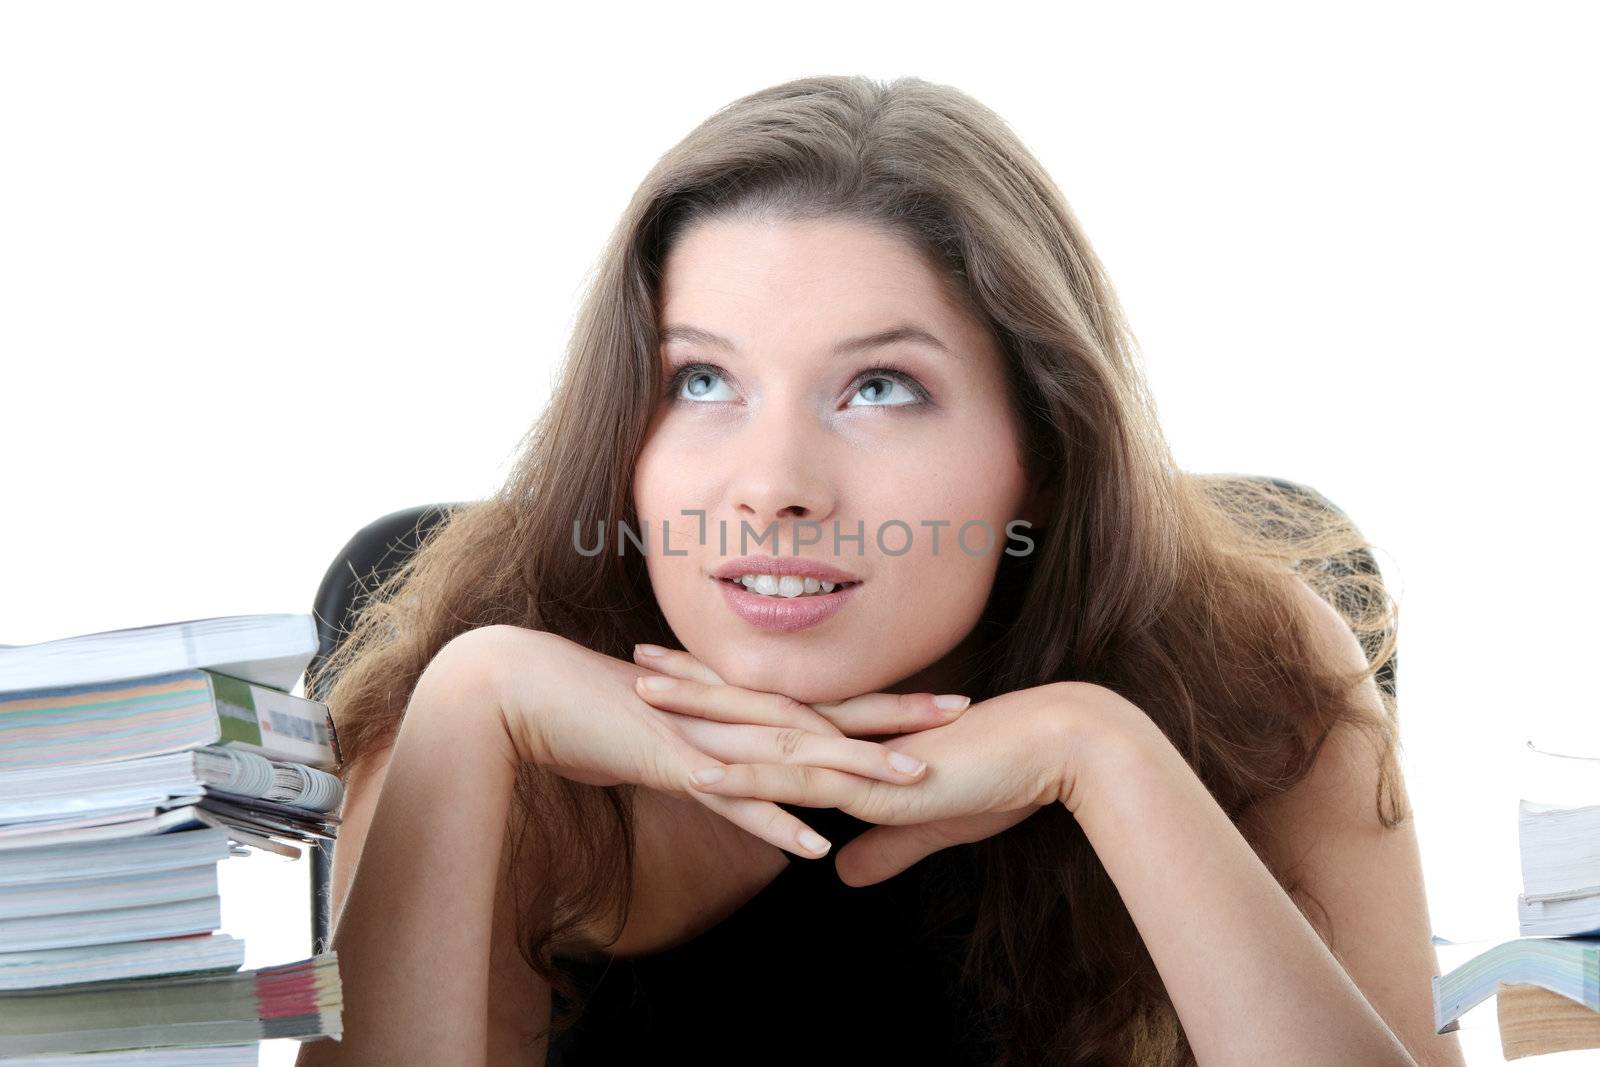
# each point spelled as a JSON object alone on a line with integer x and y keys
{"x": 998, "y": 764}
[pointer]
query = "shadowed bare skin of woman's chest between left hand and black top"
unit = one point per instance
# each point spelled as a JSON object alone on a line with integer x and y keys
{"x": 692, "y": 871}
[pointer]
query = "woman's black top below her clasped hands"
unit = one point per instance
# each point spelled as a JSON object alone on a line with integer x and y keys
{"x": 809, "y": 970}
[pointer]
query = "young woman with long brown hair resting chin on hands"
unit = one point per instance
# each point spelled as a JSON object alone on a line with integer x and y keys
{"x": 862, "y": 322}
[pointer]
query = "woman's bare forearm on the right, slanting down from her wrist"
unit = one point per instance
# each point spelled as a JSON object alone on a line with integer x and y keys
{"x": 1250, "y": 978}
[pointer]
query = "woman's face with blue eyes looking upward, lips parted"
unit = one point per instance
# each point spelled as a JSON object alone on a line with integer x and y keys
{"x": 780, "y": 433}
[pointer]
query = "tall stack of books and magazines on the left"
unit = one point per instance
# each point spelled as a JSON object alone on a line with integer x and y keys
{"x": 132, "y": 764}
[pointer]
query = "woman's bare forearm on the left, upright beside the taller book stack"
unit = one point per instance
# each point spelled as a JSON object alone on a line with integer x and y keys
{"x": 414, "y": 938}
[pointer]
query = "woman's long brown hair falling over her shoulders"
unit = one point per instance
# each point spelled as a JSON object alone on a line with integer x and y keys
{"x": 1166, "y": 586}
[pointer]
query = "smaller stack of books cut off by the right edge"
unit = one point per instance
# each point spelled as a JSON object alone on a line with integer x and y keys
{"x": 1548, "y": 981}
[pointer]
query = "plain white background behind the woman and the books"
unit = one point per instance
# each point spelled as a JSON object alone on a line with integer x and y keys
{"x": 270, "y": 273}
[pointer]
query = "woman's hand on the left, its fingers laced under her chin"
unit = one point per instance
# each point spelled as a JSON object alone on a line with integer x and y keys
{"x": 577, "y": 713}
